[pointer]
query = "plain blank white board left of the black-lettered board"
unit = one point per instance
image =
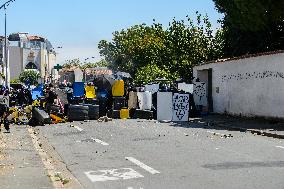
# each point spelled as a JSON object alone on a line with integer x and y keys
{"x": 164, "y": 106}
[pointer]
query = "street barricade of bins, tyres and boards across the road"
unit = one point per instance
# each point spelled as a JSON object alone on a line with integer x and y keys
{"x": 103, "y": 99}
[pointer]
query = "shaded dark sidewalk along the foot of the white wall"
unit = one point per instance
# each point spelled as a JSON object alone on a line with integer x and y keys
{"x": 269, "y": 128}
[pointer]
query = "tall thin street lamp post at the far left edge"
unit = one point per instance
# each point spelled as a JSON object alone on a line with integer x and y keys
{"x": 4, "y": 6}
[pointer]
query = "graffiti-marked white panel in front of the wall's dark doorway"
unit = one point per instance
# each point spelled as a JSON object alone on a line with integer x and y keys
{"x": 199, "y": 93}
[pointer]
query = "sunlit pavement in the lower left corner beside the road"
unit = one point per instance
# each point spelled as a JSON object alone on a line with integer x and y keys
{"x": 20, "y": 164}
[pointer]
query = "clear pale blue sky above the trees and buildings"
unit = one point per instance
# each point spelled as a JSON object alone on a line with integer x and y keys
{"x": 78, "y": 25}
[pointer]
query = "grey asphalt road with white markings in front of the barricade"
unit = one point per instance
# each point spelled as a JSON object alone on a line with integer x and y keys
{"x": 136, "y": 154}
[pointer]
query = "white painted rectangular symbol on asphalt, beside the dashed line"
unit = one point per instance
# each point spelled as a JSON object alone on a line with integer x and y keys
{"x": 113, "y": 174}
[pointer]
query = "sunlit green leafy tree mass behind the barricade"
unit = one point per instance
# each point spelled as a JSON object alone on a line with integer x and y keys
{"x": 171, "y": 52}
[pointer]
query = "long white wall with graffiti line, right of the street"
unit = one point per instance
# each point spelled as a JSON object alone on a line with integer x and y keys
{"x": 250, "y": 87}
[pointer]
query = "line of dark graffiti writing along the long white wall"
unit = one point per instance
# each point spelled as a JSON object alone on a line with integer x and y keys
{"x": 253, "y": 75}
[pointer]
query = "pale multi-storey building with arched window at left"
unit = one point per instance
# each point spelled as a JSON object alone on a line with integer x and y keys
{"x": 29, "y": 52}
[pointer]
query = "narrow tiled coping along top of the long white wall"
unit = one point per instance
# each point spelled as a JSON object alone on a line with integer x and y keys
{"x": 243, "y": 57}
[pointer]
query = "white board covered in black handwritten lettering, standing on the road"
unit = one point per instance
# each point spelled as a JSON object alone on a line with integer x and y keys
{"x": 180, "y": 107}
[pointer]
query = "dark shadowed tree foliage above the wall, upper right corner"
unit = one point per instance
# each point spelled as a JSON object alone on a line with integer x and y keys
{"x": 252, "y": 26}
